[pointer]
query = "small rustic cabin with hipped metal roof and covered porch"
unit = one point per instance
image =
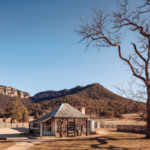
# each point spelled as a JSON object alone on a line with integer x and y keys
{"x": 64, "y": 121}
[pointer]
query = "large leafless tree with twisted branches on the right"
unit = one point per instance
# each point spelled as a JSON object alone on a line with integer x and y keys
{"x": 104, "y": 29}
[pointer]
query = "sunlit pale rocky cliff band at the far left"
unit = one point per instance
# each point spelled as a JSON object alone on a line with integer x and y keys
{"x": 9, "y": 91}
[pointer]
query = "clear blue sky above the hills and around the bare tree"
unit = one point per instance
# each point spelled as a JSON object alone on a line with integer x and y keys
{"x": 39, "y": 49}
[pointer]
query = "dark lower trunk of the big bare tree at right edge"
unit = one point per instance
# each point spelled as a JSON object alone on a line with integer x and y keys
{"x": 148, "y": 113}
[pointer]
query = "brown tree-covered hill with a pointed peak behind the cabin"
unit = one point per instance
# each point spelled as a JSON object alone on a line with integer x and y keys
{"x": 94, "y": 97}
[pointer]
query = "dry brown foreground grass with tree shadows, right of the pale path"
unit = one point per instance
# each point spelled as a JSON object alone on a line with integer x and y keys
{"x": 112, "y": 141}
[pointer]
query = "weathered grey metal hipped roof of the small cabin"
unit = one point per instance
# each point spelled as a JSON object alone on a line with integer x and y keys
{"x": 63, "y": 111}
